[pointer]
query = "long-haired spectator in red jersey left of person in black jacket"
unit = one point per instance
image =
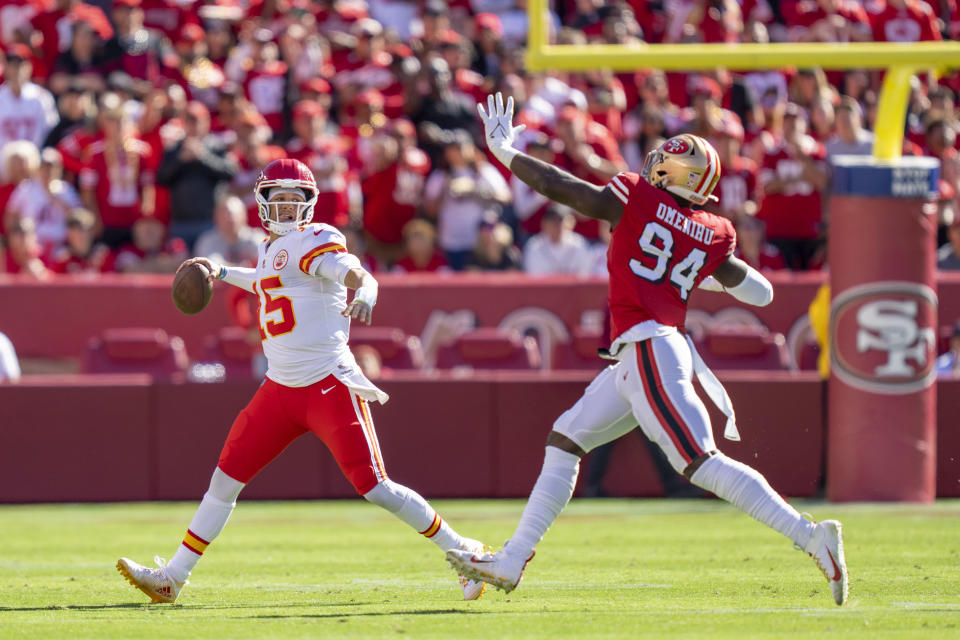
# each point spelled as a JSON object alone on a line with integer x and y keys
{"x": 117, "y": 185}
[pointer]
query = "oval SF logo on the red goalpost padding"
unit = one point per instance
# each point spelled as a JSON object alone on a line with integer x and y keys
{"x": 883, "y": 338}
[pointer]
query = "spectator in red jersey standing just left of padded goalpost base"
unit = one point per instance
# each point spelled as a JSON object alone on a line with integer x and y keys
{"x": 793, "y": 176}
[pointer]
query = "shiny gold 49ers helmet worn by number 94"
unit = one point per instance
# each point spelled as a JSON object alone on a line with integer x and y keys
{"x": 686, "y": 165}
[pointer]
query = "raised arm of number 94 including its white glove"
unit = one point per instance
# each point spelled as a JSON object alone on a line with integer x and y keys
{"x": 556, "y": 184}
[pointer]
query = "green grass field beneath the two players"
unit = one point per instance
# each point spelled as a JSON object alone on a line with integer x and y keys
{"x": 608, "y": 569}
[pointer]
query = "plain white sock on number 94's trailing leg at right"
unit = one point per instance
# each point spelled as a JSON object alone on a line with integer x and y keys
{"x": 749, "y": 491}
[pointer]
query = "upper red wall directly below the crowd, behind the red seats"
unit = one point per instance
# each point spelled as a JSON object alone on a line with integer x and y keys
{"x": 55, "y": 319}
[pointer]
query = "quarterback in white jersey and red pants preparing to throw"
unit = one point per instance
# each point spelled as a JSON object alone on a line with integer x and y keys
{"x": 312, "y": 384}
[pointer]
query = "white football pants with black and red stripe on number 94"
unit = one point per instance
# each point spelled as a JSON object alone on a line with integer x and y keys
{"x": 651, "y": 386}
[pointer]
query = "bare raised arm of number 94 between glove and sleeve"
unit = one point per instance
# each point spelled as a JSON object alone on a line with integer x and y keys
{"x": 562, "y": 187}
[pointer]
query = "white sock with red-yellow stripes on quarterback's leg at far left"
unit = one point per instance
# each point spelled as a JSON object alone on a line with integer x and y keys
{"x": 209, "y": 520}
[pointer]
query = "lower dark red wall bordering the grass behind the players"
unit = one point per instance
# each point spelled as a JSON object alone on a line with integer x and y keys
{"x": 92, "y": 438}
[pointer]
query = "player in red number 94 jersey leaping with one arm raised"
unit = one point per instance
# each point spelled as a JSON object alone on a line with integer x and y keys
{"x": 661, "y": 249}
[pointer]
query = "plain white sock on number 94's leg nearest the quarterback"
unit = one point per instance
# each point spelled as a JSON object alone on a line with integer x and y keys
{"x": 550, "y": 495}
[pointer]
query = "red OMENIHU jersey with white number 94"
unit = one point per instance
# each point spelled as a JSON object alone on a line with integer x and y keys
{"x": 659, "y": 253}
